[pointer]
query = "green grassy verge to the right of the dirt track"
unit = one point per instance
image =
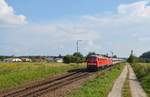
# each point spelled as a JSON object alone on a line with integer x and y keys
{"x": 142, "y": 71}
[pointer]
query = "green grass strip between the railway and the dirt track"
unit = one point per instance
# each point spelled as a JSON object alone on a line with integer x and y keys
{"x": 100, "y": 86}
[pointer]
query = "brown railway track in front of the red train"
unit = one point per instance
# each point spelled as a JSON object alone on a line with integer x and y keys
{"x": 47, "y": 86}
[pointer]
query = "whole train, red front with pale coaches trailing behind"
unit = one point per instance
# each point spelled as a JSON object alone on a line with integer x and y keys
{"x": 97, "y": 62}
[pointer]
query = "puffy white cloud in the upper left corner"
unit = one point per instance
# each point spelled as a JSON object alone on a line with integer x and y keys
{"x": 8, "y": 16}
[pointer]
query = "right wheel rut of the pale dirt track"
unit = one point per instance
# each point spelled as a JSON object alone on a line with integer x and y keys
{"x": 136, "y": 89}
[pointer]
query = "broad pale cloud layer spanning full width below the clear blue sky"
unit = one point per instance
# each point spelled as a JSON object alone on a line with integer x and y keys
{"x": 120, "y": 32}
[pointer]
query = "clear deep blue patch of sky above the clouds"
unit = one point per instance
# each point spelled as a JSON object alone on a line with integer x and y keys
{"x": 50, "y": 10}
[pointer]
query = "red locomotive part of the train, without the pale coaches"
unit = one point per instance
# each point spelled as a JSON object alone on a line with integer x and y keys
{"x": 95, "y": 62}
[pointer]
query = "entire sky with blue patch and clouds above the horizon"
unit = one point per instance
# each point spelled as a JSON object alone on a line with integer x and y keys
{"x": 52, "y": 27}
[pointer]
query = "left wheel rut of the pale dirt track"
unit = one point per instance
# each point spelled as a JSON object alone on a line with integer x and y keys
{"x": 117, "y": 88}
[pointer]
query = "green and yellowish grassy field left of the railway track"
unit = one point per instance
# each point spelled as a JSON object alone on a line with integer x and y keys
{"x": 15, "y": 74}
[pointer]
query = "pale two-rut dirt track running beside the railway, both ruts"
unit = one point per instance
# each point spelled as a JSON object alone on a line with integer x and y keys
{"x": 135, "y": 87}
